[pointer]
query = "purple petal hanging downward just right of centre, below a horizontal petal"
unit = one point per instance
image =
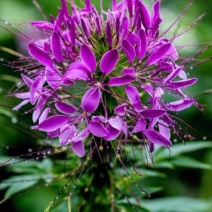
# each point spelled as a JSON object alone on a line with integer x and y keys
{"x": 133, "y": 96}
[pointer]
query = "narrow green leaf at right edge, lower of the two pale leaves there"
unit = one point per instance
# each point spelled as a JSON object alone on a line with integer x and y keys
{"x": 189, "y": 163}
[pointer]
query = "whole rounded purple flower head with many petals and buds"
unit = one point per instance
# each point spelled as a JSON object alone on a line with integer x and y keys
{"x": 105, "y": 76}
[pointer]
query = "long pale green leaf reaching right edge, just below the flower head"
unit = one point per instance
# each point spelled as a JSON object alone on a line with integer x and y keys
{"x": 178, "y": 149}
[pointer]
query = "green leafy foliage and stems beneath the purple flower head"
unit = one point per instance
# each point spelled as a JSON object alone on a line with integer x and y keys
{"x": 120, "y": 185}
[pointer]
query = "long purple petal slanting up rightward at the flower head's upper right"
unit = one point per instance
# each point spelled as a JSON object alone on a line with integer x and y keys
{"x": 158, "y": 54}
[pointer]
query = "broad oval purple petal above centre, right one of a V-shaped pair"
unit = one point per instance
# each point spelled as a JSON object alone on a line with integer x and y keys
{"x": 108, "y": 61}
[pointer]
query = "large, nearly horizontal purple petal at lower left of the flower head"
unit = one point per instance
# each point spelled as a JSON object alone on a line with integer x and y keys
{"x": 53, "y": 123}
